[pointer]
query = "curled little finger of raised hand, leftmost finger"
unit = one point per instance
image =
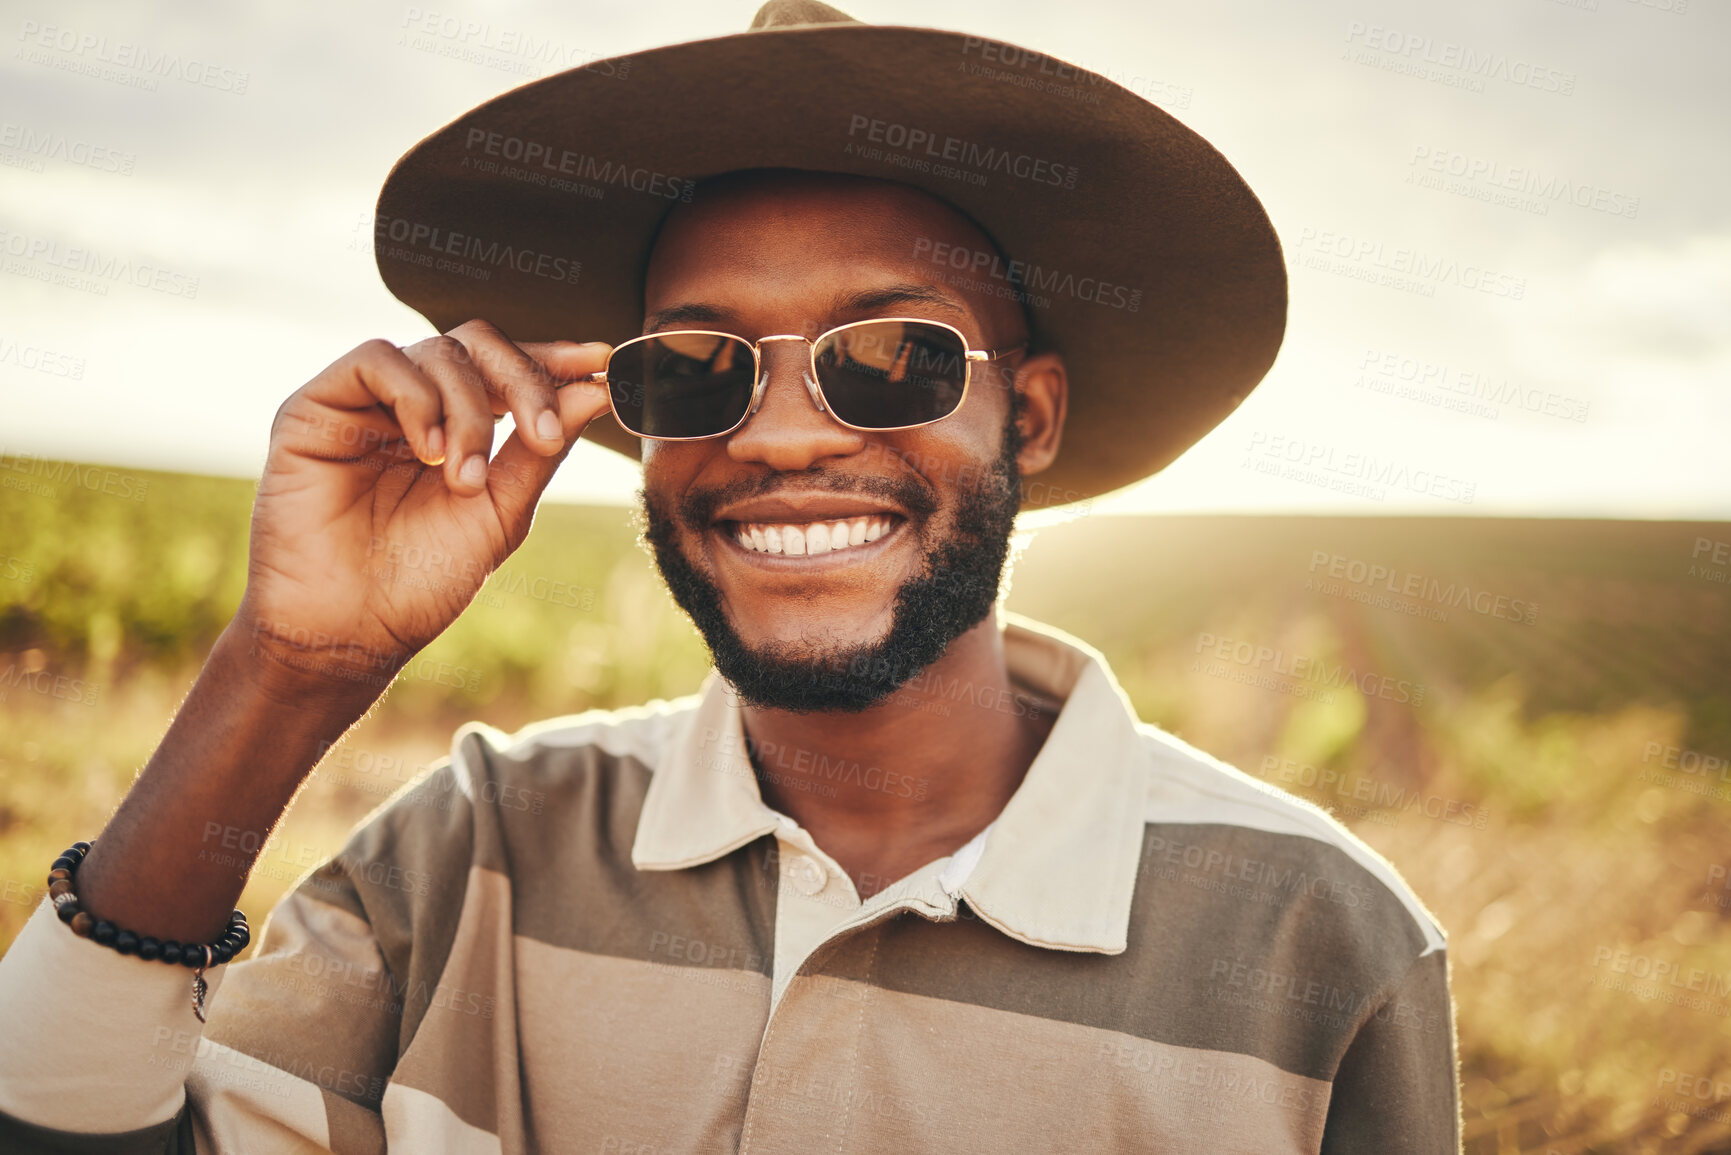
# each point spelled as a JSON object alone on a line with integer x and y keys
{"x": 363, "y": 403}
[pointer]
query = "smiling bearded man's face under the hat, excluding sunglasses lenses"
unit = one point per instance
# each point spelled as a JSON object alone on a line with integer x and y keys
{"x": 832, "y": 628}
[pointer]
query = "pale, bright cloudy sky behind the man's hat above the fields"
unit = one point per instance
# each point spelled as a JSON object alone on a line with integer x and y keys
{"x": 1580, "y": 177}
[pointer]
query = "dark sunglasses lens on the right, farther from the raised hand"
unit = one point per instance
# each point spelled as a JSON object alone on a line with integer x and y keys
{"x": 882, "y": 375}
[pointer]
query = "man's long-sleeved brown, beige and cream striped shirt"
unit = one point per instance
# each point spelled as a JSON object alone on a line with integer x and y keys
{"x": 596, "y": 938}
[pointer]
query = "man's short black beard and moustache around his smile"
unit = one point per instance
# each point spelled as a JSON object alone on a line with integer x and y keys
{"x": 955, "y": 591}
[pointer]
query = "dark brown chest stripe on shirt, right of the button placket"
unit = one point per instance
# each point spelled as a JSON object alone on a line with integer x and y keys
{"x": 1271, "y": 946}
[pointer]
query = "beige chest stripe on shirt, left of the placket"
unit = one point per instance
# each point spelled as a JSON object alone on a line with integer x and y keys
{"x": 626, "y": 1055}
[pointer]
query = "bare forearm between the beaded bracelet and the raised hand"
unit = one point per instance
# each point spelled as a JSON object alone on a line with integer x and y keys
{"x": 240, "y": 747}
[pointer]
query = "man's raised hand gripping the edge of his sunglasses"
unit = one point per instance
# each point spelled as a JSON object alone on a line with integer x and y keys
{"x": 380, "y": 515}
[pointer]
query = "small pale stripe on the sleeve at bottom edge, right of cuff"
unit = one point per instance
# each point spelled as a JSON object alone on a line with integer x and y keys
{"x": 241, "y": 1104}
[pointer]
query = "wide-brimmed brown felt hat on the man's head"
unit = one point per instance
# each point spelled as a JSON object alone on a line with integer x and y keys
{"x": 1142, "y": 255}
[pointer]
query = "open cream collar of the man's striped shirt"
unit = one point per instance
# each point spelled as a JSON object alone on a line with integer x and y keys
{"x": 1059, "y": 865}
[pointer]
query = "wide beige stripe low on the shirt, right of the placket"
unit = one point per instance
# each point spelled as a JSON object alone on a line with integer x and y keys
{"x": 861, "y": 1069}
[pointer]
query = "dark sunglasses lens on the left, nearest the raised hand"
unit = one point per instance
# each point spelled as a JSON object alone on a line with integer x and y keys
{"x": 681, "y": 384}
